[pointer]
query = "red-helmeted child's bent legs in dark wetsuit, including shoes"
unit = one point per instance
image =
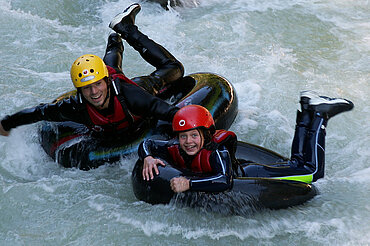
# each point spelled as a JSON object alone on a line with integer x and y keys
{"x": 307, "y": 162}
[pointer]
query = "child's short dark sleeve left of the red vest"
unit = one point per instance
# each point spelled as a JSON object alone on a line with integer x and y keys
{"x": 155, "y": 148}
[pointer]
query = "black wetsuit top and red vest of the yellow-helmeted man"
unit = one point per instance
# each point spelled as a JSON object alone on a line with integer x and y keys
{"x": 129, "y": 104}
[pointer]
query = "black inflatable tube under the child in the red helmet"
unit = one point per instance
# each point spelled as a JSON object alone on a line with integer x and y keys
{"x": 252, "y": 192}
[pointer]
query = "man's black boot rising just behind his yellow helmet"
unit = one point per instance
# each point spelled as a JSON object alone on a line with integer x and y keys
{"x": 114, "y": 52}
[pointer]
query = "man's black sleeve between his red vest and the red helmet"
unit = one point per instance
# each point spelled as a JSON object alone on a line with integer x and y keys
{"x": 142, "y": 103}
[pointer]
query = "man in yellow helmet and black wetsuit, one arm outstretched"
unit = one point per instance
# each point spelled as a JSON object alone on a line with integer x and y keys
{"x": 107, "y": 101}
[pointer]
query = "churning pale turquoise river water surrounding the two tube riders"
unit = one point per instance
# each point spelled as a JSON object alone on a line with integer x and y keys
{"x": 270, "y": 50}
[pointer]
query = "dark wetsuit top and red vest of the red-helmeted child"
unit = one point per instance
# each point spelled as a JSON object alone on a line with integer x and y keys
{"x": 212, "y": 165}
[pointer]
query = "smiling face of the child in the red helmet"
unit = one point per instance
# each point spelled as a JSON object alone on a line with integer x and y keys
{"x": 191, "y": 141}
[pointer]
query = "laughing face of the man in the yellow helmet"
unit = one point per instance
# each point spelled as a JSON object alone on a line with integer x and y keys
{"x": 96, "y": 93}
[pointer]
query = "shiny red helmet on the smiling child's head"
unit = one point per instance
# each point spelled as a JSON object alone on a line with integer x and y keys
{"x": 192, "y": 117}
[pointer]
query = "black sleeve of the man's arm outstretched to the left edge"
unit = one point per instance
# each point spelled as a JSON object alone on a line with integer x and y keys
{"x": 66, "y": 110}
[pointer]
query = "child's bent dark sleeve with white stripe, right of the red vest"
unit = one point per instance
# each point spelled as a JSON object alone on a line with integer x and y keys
{"x": 222, "y": 180}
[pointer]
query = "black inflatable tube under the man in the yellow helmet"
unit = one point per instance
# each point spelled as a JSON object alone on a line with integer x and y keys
{"x": 69, "y": 144}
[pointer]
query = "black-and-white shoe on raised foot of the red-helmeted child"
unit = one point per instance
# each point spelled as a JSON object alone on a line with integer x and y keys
{"x": 326, "y": 105}
